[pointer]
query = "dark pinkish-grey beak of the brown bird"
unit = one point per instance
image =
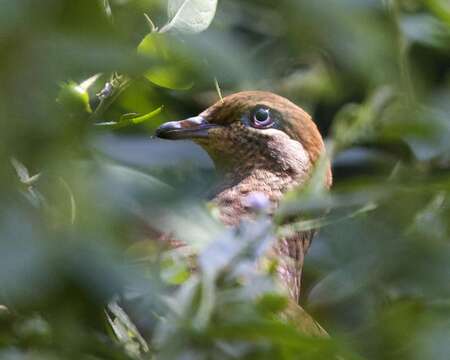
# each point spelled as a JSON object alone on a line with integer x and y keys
{"x": 192, "y": 128}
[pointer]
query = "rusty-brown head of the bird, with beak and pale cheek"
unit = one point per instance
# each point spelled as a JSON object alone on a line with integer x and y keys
{"x": 253, "y": 130}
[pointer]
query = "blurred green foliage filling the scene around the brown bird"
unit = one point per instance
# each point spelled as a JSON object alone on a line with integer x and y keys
{"x": 84, "y": 188}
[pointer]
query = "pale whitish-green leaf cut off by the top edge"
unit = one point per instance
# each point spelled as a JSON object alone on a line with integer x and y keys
{"x": 190, "y": 16}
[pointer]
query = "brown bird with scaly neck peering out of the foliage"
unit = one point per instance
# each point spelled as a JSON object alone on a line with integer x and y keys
{"x": 262, "y": 146}
